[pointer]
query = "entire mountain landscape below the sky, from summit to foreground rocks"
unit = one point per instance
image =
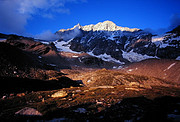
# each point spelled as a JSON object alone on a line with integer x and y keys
{"x": 91, "y": 73}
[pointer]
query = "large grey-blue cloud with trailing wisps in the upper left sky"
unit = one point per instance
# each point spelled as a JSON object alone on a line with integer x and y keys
{"x": 14, "y": 14}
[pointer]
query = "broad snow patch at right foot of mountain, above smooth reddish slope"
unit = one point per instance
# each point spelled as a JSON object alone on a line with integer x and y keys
{"x": 135, "y": 57}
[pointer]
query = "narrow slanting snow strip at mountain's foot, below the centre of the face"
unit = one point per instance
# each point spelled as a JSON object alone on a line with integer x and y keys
{"x": 106, "y": 57}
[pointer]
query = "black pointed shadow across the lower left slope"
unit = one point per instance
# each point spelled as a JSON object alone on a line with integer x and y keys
{"x": 18, "y": 85}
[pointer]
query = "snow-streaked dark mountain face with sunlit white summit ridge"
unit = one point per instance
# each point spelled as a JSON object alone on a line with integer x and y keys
{"x": 121, "y": 44}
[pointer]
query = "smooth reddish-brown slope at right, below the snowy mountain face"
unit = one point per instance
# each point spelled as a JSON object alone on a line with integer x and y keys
{"x": 160, "y": 68}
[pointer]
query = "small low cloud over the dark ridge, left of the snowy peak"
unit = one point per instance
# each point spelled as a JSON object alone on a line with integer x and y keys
{"x": 47, "y": 35}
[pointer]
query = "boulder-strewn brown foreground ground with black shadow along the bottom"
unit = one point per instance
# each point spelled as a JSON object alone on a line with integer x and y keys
{"x": 115, "y": 103}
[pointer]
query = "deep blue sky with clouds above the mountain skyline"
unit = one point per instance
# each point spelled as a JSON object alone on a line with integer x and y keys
{"x": 33, "y": 17}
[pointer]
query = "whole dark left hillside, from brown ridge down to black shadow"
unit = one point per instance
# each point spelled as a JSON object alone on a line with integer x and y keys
{"x": 26, "y": 65}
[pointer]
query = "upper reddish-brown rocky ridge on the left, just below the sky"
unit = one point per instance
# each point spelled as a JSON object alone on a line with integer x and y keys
{"x": 47, "y": 53}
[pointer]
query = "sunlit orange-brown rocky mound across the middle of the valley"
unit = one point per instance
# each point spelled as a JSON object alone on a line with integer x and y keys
{"x": 103, "y": 77}
